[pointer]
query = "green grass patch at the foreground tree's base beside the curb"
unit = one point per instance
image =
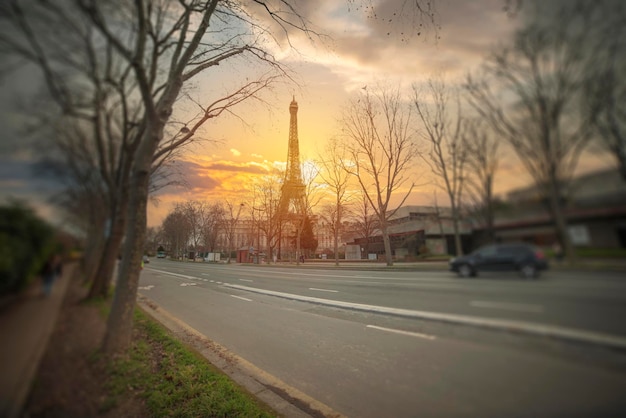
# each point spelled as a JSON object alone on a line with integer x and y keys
{"x": 174, "y": 380}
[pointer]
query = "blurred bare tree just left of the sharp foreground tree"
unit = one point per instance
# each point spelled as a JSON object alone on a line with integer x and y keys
{"x": 91, "y": 87}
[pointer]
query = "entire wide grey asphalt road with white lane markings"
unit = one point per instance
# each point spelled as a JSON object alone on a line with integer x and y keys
{"x": 378, "y": 356}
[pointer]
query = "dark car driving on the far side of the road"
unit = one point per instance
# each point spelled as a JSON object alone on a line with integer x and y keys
{"x": 527, "y": 259}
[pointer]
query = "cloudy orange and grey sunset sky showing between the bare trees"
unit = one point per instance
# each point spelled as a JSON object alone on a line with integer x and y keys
{"x": 360, "y": 47}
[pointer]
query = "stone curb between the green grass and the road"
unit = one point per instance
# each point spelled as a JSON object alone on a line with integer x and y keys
{"x": 285, "y": 400}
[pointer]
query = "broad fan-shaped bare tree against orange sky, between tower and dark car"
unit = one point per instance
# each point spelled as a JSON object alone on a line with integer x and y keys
{"x": 381, "y": 145}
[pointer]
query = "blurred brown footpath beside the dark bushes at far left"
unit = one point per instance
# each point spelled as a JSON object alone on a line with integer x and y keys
{"x": 25, "y": 328}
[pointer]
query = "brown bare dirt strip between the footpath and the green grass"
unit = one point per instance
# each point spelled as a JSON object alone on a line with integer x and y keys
{"x": 71, "y": 380}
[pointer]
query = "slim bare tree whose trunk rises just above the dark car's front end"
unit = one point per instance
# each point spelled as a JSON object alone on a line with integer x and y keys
{"x": 445, "y": 130}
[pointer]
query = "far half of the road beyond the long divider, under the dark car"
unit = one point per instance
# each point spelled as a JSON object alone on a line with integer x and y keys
{"x": 593, "y": 305}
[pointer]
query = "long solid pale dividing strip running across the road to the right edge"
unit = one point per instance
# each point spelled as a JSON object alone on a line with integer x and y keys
{"x": 550, "y": 331}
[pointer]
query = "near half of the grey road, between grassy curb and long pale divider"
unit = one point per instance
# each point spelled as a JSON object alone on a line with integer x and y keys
{"x": 362, "y": 371}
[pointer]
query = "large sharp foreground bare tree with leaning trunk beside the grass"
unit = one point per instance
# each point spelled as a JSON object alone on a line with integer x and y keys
{"x": 170, "y": 45}
